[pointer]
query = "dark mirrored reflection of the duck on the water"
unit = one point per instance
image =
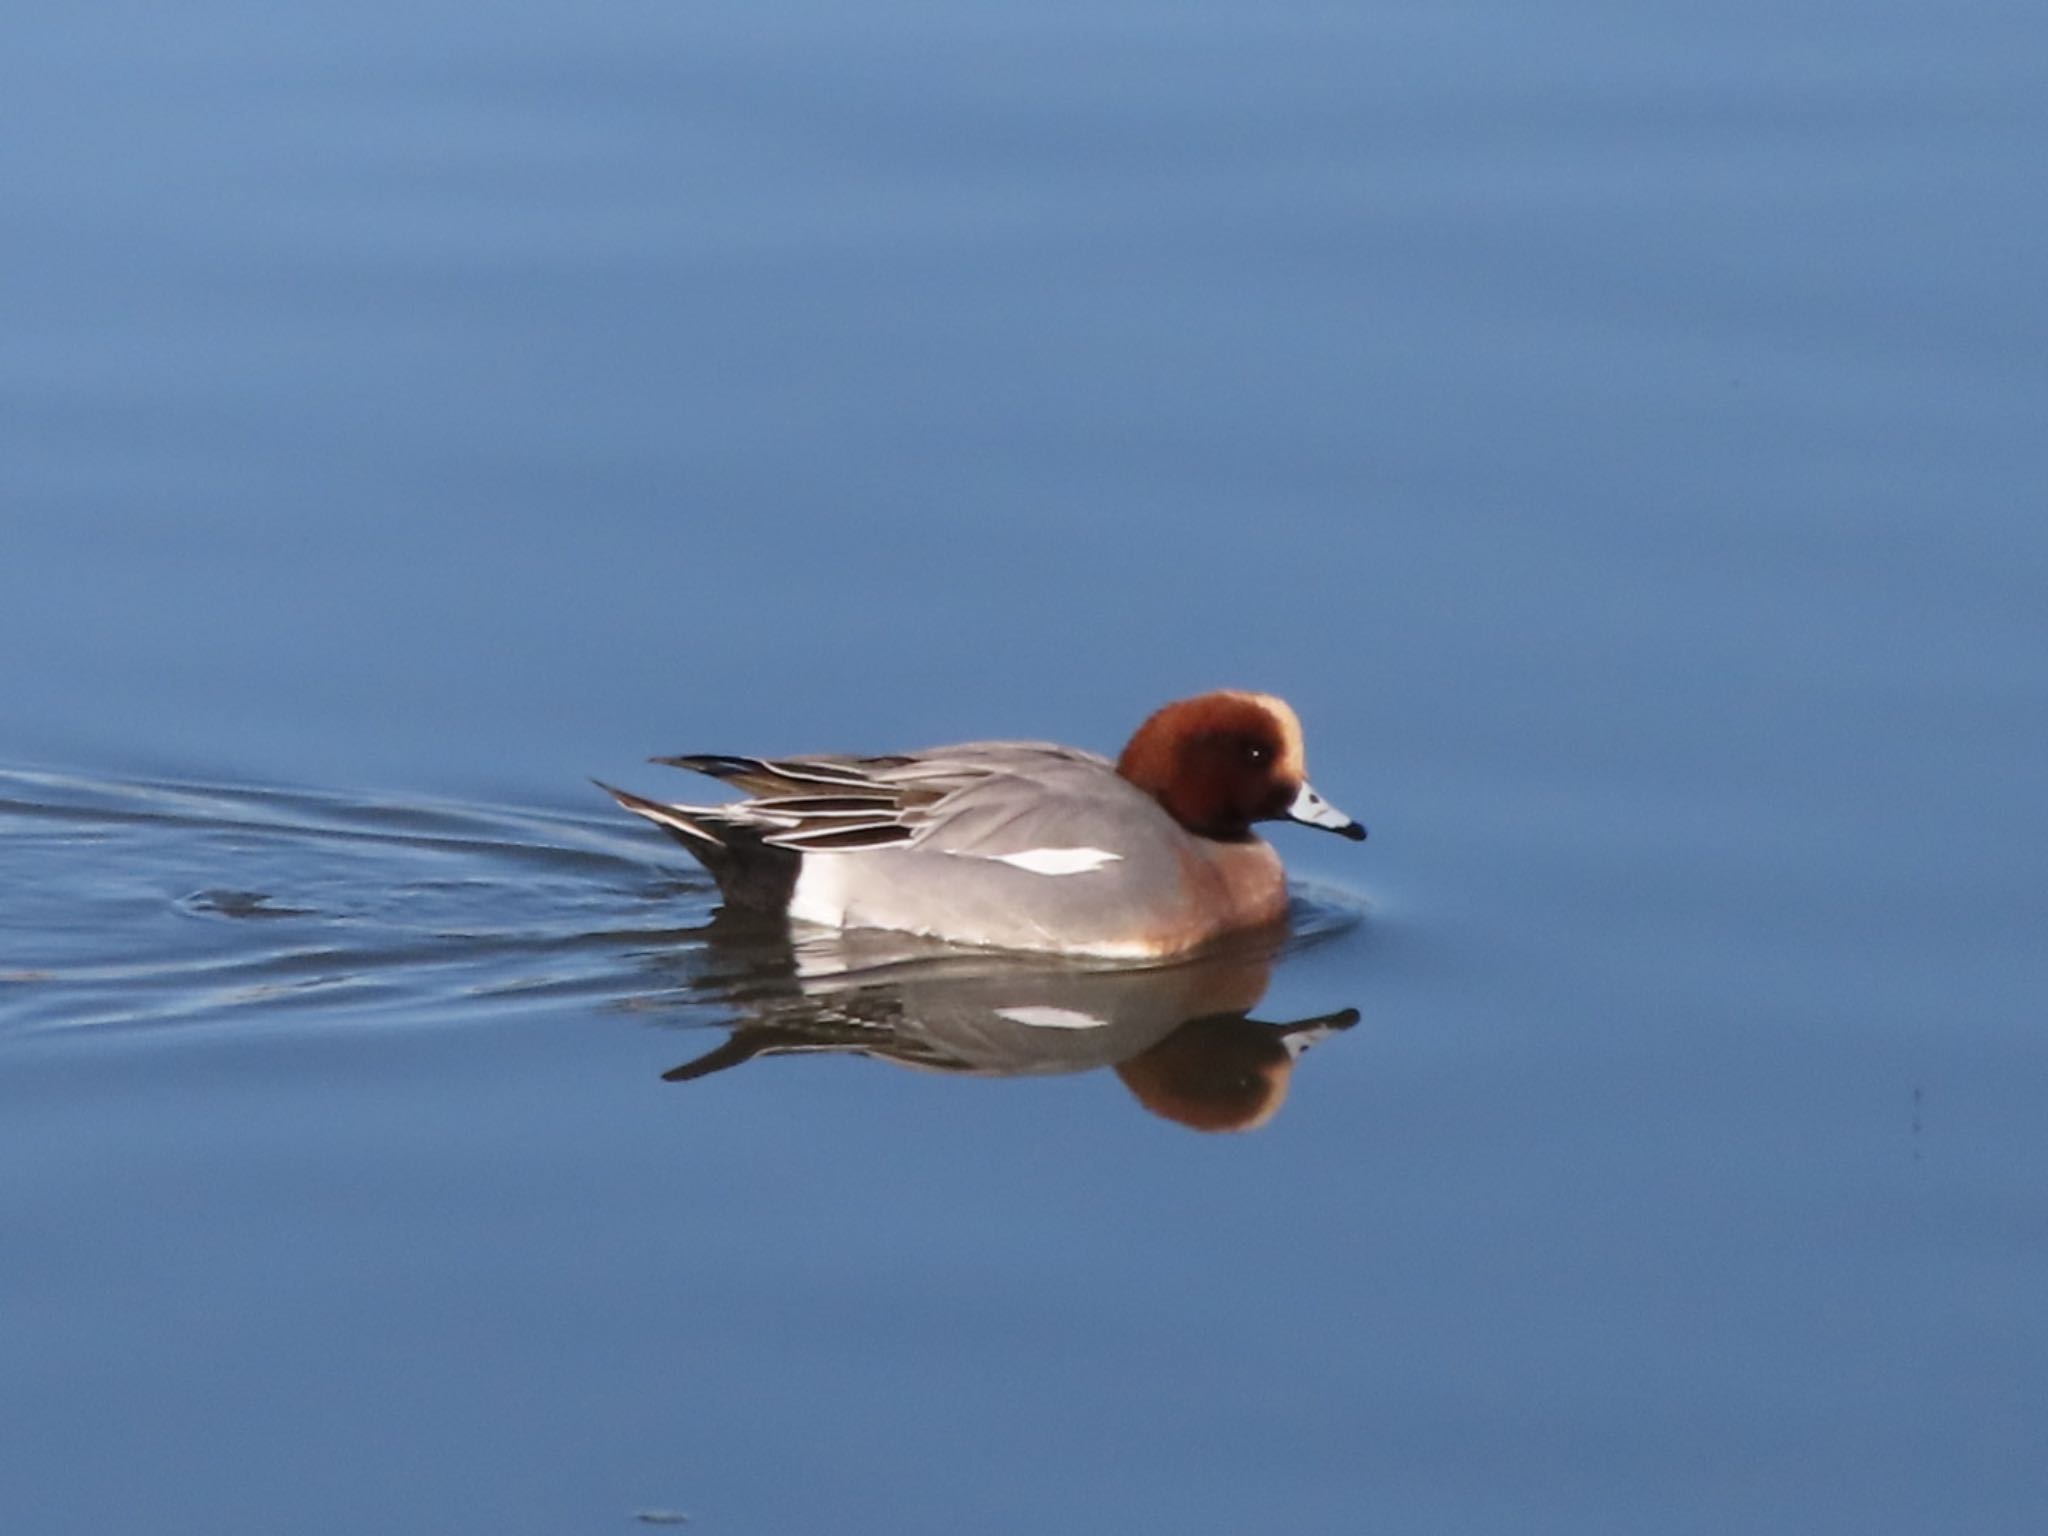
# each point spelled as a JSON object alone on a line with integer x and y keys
{"x": 1179, "y": 1035}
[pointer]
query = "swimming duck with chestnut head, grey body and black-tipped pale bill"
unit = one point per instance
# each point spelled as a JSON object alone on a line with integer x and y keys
{"x": 1023, "y": 845}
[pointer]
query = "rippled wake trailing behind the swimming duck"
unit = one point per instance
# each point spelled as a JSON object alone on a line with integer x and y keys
{"x": 142, "y": 912}
